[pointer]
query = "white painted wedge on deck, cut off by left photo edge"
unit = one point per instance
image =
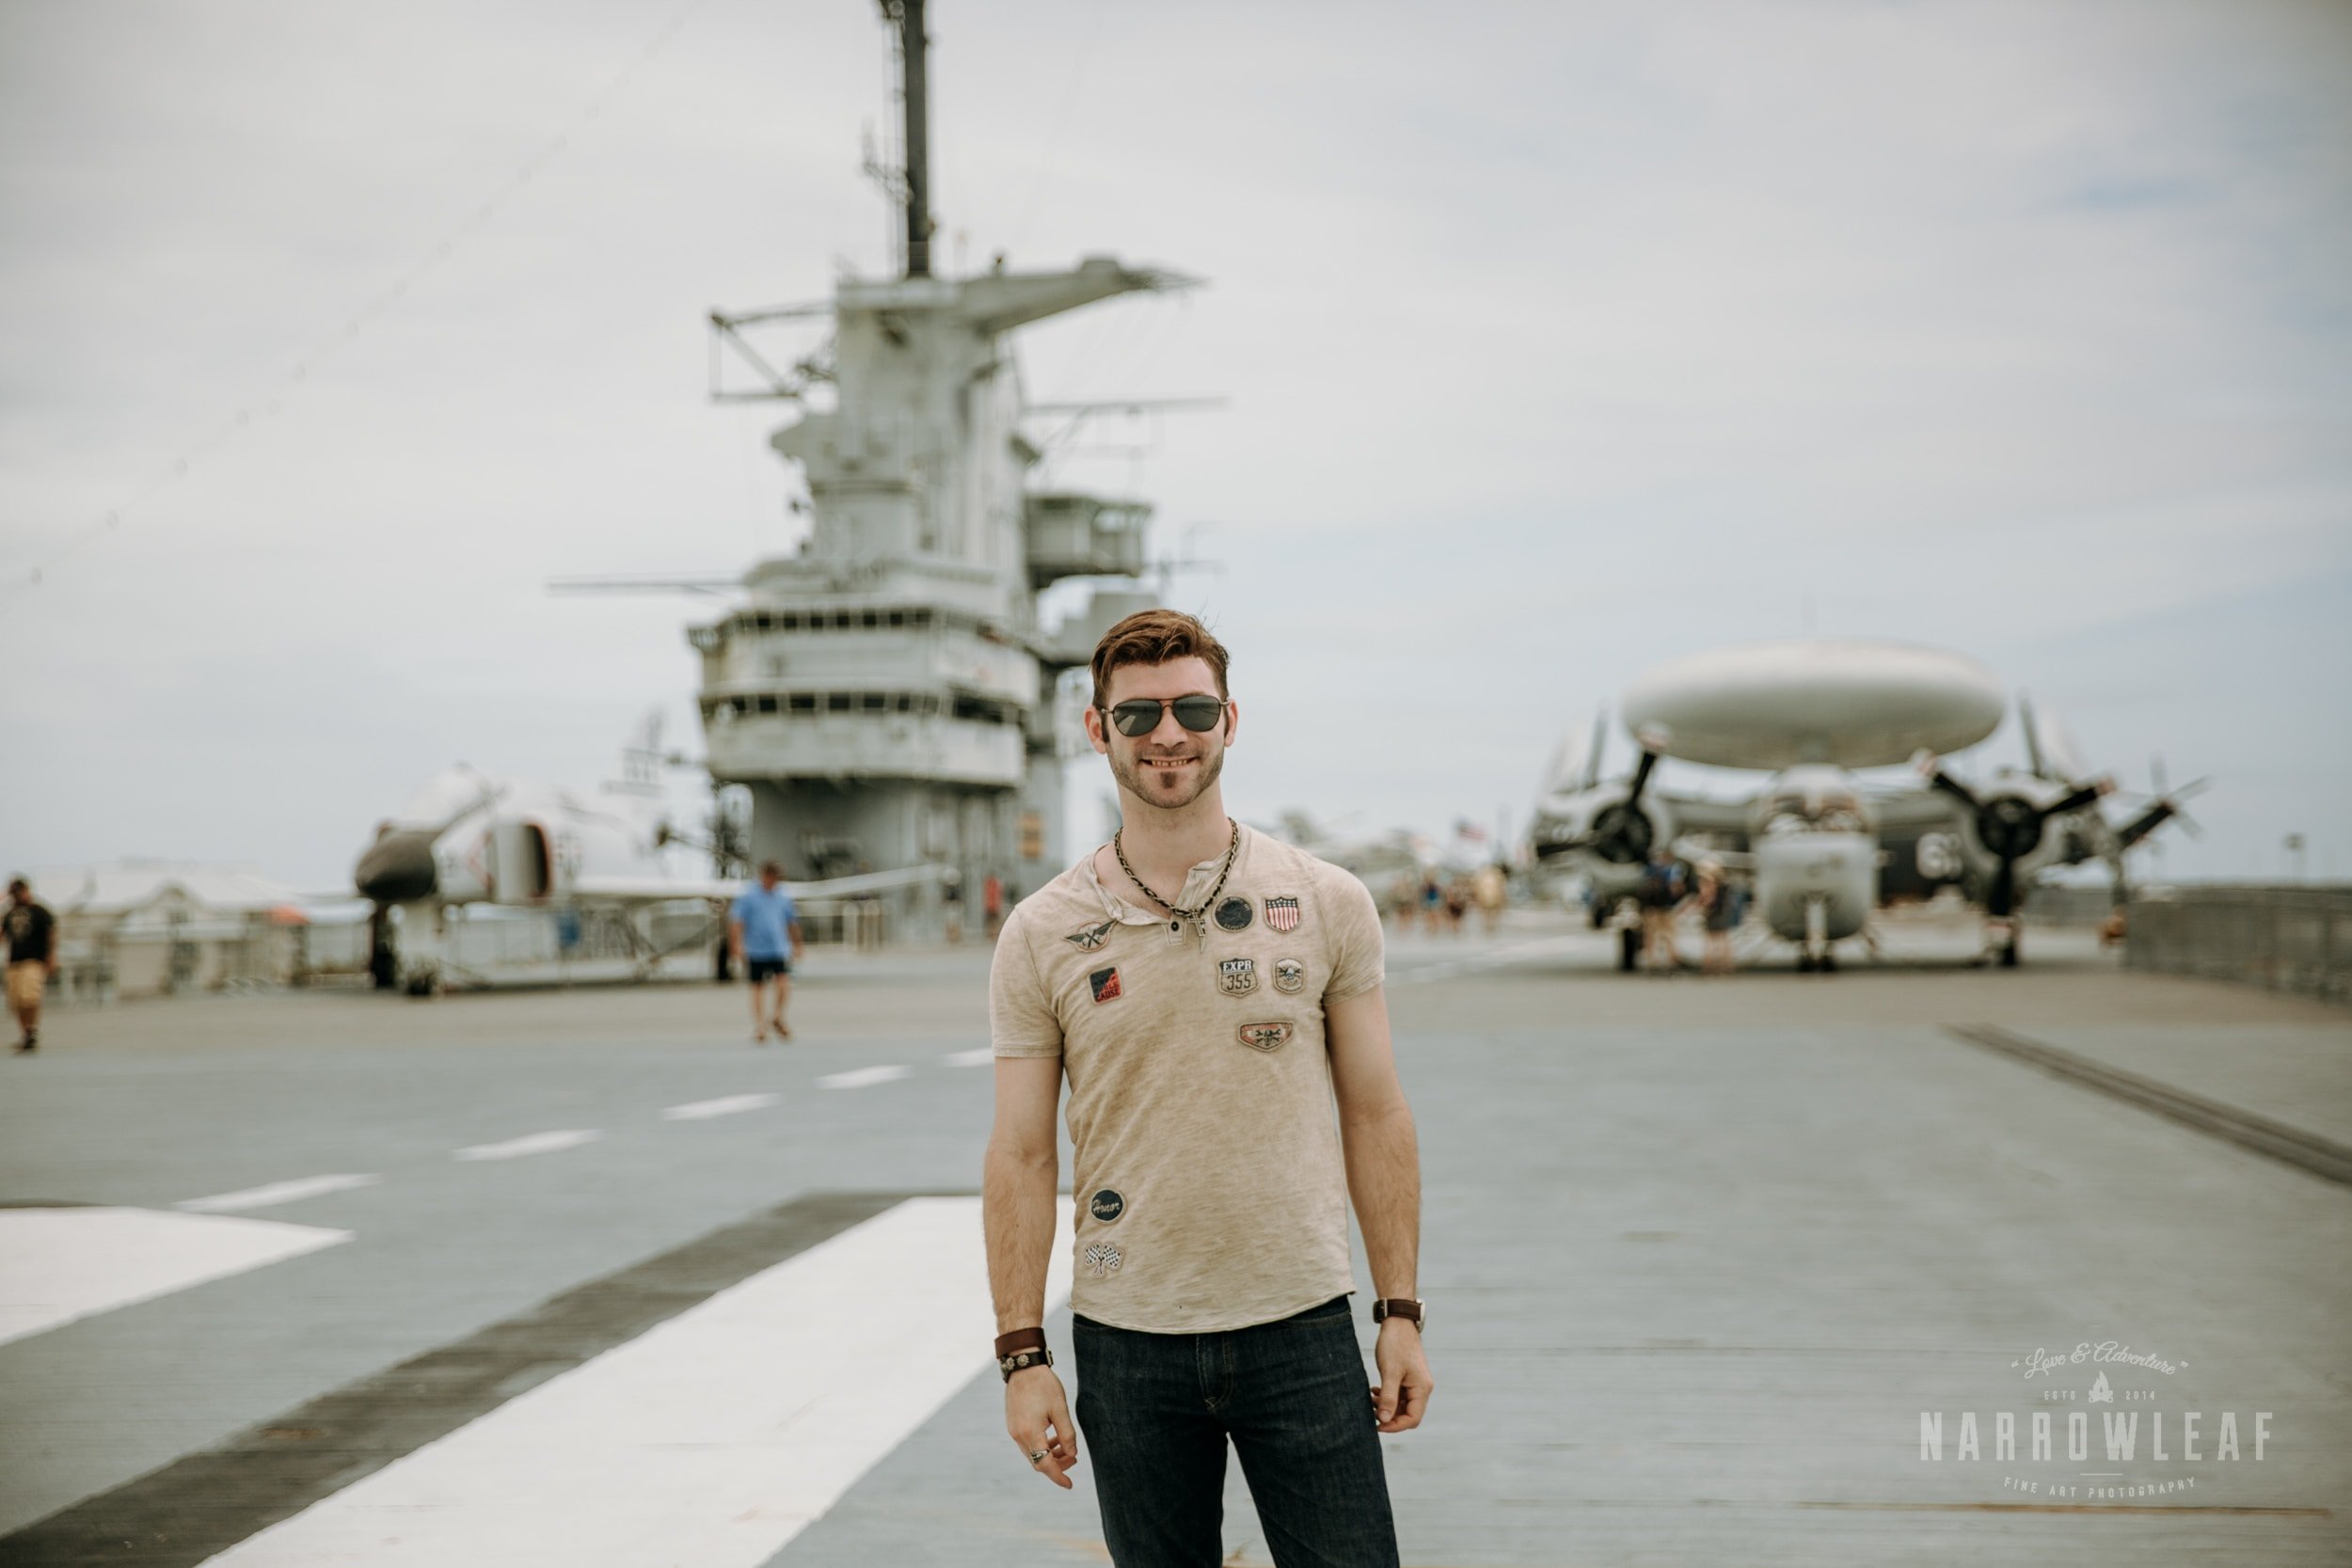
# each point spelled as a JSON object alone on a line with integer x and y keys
{"x": 69, "y": 1264}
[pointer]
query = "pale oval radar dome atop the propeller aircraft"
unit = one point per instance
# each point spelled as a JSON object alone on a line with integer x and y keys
{"x": 1852, "y": 704}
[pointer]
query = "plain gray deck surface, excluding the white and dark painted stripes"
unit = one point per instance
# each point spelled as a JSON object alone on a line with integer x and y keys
{"x": 1699, "y": 1249}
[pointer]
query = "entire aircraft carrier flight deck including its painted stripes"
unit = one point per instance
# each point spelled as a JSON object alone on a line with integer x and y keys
{"x": 1772, "y": 1268}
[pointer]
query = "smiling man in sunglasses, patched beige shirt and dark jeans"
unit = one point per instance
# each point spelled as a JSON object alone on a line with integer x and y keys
{"x": 1208, "y": 993}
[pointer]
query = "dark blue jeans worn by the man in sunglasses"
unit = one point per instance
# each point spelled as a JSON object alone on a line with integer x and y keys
{"x": 1156, "y": 1412}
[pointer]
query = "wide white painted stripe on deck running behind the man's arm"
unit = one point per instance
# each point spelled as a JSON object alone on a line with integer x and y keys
{"x": 711, "y": 1440}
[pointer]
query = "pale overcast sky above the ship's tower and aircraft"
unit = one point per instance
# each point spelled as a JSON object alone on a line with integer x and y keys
{"x": 1558, "y": 340}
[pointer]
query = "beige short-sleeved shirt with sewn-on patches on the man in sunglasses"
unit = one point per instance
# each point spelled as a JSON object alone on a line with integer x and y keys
{"x": 1210, "y": 1184}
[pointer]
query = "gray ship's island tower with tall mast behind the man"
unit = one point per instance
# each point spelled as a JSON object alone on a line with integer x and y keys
{"x": 888, "y": 695}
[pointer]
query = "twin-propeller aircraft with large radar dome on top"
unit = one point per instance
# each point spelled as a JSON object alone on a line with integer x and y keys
{"x": 1822, "y": 847}
